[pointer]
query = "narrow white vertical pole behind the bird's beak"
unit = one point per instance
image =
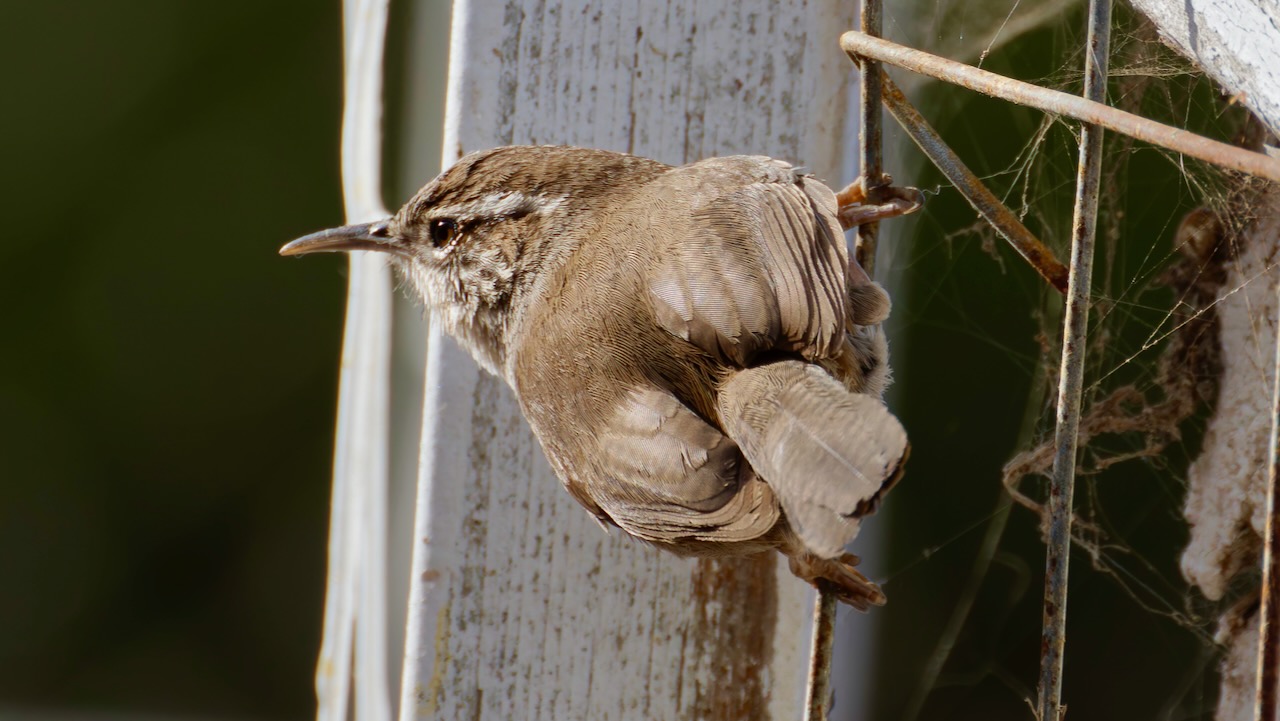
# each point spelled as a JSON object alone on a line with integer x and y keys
{"x": 356, "y": 581}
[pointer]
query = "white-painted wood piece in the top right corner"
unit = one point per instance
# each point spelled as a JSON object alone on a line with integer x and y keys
{"x": 1236, "y": 42}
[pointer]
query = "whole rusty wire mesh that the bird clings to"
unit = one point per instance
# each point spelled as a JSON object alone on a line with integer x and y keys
{"x": 868, "y": 51}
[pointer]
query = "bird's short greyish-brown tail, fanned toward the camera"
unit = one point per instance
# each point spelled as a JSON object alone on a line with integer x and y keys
{"x": 830, "y": 455}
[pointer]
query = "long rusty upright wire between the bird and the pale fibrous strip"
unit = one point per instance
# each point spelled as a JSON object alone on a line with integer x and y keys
{"x": 1072, "y": 378}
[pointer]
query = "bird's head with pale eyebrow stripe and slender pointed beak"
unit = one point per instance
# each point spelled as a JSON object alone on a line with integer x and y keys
{"x": 478, "y": 238}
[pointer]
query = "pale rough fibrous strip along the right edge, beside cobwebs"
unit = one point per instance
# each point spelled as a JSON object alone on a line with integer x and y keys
{"x": 1226, "y": 496}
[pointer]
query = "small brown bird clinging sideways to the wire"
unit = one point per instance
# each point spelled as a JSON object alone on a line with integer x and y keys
{"x": 693, "y": 346}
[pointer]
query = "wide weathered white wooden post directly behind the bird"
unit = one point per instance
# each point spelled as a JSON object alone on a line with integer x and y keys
{"x": 522, "y": 606}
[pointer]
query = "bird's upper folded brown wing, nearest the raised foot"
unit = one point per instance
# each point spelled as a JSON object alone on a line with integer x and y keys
{"x": 762, "y": 267}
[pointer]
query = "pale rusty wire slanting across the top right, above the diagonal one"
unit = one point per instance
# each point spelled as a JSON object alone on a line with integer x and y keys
{"x": 861, "y": 45}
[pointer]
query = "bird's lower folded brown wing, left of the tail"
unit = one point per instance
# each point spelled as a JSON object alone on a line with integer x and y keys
{"x": 666, "y": 476}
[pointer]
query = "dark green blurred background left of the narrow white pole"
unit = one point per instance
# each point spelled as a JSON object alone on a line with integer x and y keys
{"x": 167, "y": 389}
